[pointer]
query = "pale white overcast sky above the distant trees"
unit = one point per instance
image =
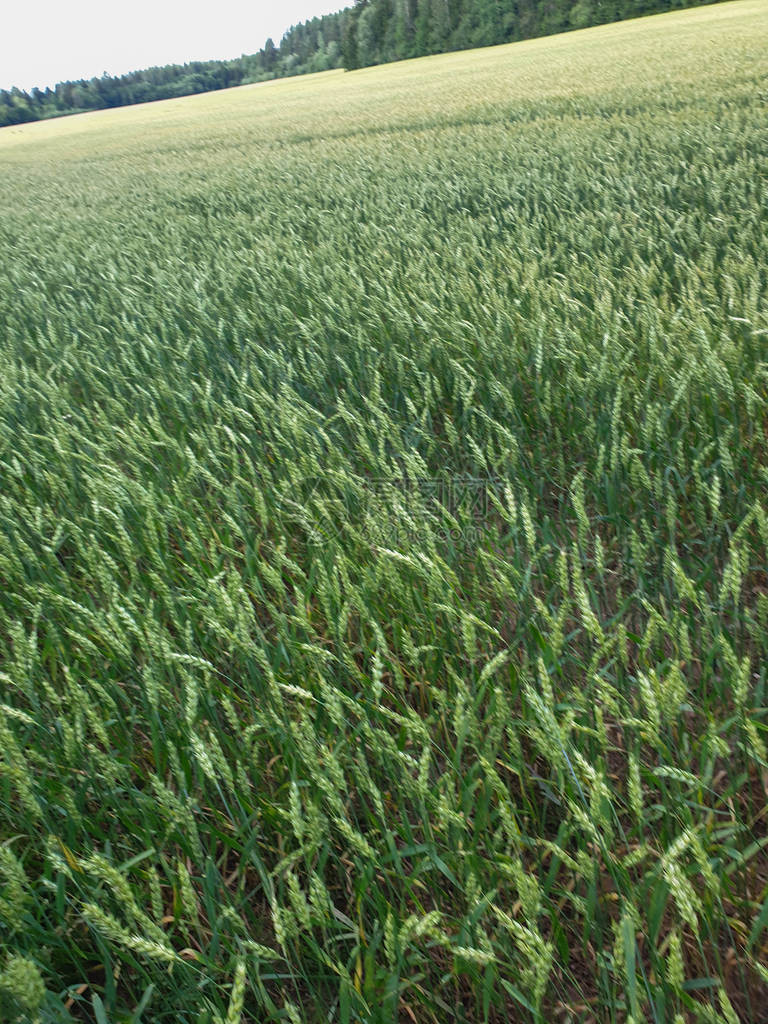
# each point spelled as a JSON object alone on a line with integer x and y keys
{"x": 48, "y": 41}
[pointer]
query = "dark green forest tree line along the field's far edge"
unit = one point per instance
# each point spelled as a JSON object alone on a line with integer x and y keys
{"x": 371, "y": 32}
